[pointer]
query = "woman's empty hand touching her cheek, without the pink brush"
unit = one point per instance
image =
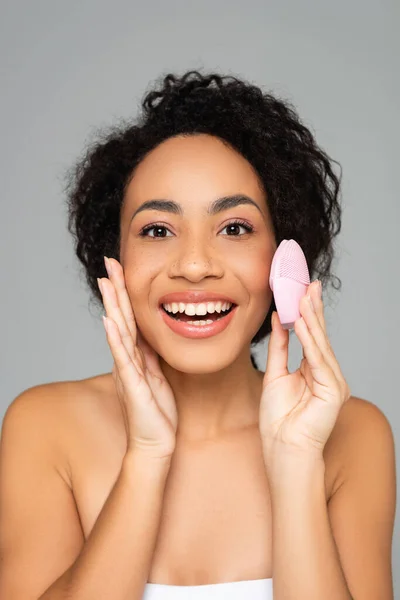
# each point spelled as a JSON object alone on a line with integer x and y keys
{"x": 146, "y": 398}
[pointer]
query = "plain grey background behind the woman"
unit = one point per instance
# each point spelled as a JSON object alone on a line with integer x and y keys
{"x": 70, "y": 67}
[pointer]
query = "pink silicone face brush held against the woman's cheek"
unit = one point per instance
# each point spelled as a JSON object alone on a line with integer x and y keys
{"x": 289, "y": 279}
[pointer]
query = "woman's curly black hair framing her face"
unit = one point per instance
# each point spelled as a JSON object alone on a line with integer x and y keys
{"x": 301, "y": 186}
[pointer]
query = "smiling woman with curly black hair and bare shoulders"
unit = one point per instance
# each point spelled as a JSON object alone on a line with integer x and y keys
{"x": 187, "y": 472}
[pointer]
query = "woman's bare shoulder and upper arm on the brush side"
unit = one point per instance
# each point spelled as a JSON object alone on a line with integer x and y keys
{"x": 363, "y": 506}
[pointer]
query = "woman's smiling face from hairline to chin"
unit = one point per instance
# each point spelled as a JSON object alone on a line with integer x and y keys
{"x": 191, "y": 249}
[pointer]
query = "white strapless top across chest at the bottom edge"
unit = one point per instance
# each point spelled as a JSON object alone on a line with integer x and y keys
{"x": 254, "y": 589}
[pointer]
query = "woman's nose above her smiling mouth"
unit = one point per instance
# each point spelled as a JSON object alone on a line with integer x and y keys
{"x": 195, "y": 262}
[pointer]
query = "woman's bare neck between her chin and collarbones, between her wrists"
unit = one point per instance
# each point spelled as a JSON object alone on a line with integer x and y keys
{"x": 213, "y": 405}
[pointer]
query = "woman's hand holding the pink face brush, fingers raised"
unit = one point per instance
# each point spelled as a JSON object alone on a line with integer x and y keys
{"x": 299, "y": 410}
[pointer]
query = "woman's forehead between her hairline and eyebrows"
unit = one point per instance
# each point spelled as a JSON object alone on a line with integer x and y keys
{"x": 193, "y": 169}
